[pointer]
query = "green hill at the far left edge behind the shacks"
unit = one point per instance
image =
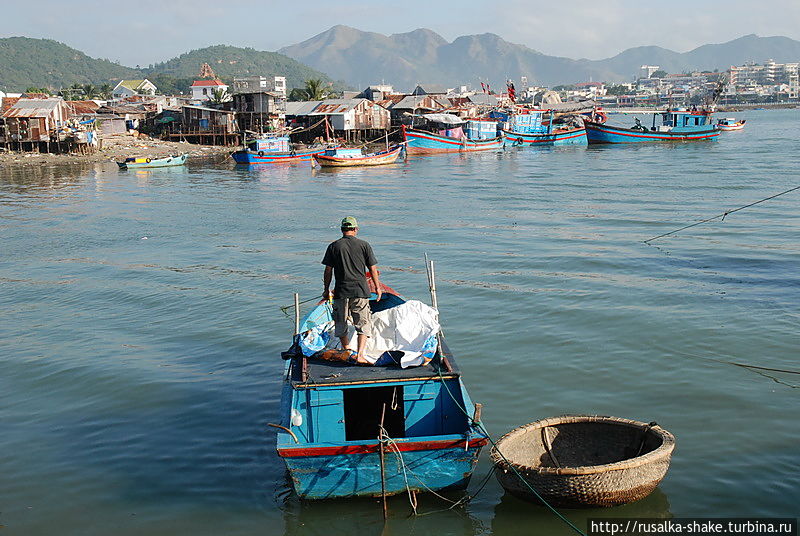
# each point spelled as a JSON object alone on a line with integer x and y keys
{"x": 26, "y": 62}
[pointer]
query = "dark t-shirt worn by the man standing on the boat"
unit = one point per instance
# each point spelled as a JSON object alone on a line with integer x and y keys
{"x": 350, "y": 259}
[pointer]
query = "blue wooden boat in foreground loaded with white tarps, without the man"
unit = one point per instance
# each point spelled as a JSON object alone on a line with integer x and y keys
{"x": 405, "y": 423}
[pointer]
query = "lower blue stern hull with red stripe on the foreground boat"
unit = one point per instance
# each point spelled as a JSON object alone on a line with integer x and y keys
{"x": 328, "y": 472}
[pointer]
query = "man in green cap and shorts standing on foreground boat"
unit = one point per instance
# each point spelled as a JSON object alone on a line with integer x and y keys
{"x": 348, "y": 259}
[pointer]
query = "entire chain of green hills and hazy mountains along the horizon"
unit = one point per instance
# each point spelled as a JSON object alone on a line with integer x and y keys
{"x": 360, "y": 58}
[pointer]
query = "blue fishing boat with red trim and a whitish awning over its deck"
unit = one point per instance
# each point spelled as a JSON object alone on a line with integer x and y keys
{"x": 452, "y": 135}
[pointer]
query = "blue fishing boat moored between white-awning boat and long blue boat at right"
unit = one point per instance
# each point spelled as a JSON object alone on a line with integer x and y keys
{"x": 532, "y": 128}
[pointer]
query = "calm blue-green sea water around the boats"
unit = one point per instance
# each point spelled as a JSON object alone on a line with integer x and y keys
{"x": 140, "y": 326}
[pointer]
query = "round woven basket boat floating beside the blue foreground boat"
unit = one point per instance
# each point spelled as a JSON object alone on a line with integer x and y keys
{"x": 583, "y": 461}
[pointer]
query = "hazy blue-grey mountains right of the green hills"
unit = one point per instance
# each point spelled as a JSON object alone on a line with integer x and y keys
{"x": 423, "y": 56}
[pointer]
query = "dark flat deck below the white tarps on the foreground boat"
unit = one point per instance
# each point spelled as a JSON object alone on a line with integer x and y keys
{"x": 328, "y": 373}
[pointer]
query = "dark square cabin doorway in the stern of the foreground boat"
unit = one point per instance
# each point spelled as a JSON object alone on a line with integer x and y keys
{"x": 363, "y": 408}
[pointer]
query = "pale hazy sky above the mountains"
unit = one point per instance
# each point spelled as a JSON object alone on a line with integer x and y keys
{"x": 150, "y": 31}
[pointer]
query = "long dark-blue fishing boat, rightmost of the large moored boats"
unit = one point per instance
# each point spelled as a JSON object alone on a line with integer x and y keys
{"x": 676, "y": 125}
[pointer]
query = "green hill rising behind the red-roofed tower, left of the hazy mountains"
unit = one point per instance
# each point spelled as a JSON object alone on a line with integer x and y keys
{"x": 228, "y": 62}
